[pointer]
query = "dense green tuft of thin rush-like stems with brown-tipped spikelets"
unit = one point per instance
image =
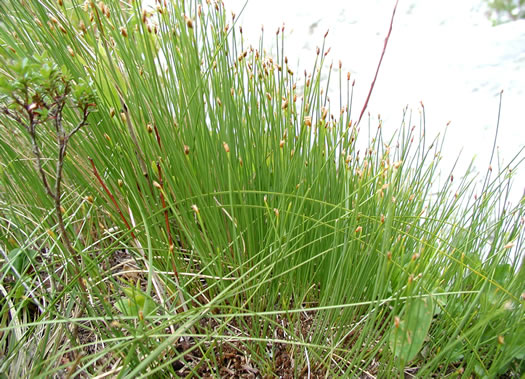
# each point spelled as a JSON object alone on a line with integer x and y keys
{"x": 224, "y": 218}
